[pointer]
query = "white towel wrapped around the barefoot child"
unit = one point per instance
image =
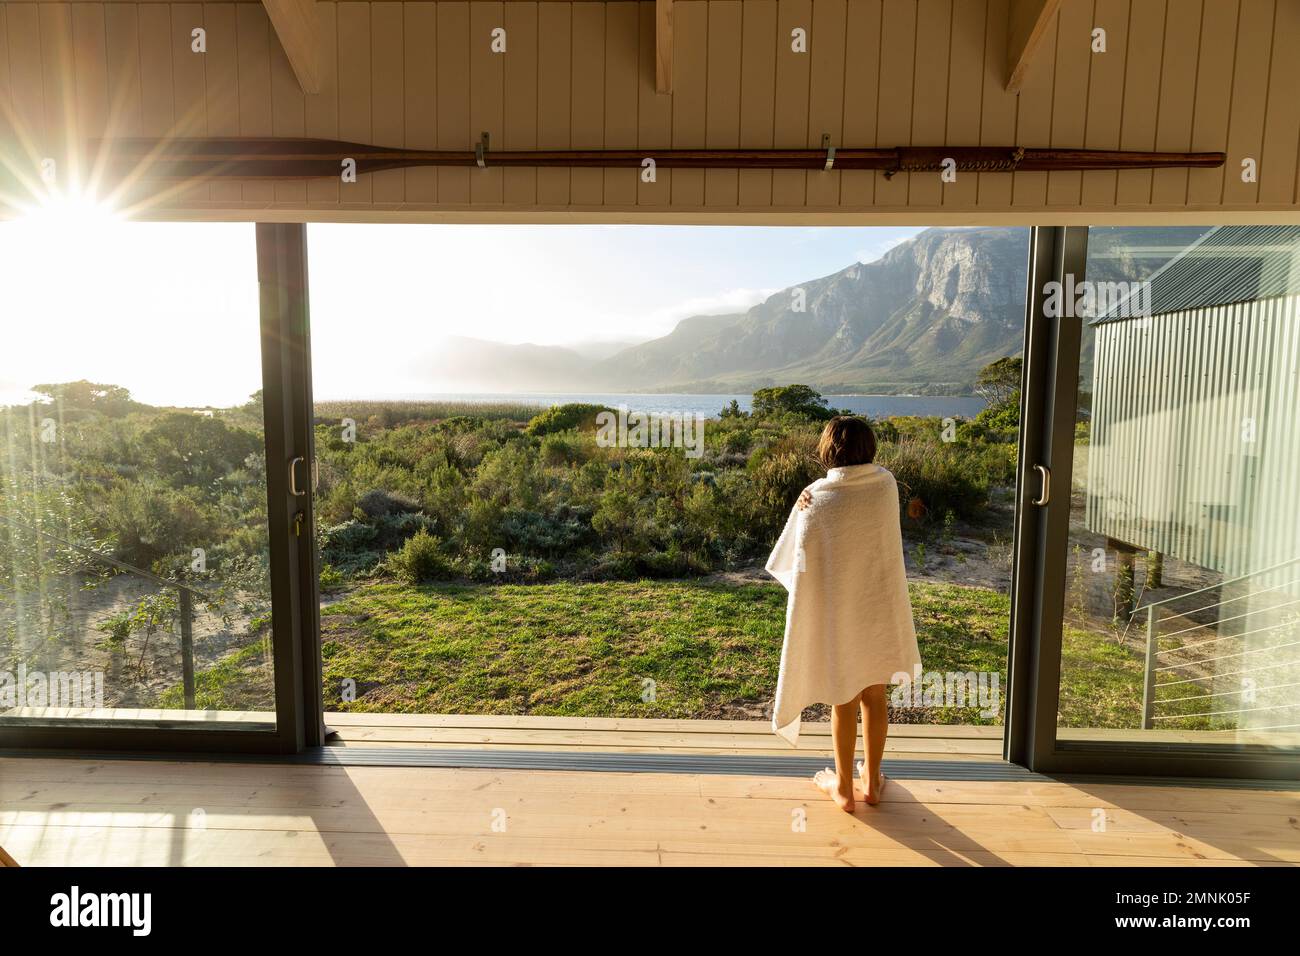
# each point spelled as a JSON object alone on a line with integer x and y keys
{"x": 848, "y": 622}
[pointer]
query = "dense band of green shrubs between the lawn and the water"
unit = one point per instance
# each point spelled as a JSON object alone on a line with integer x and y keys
{"x": 536, "y": 486}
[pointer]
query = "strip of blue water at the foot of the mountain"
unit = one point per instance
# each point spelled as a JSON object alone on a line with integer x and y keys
{"x": 709, "y": 406}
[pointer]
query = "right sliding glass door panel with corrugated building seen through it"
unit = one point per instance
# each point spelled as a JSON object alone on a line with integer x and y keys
{"x": 1171, "y": 543}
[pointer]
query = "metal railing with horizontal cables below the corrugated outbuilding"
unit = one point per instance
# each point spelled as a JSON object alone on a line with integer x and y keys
{"x": 1156, "y": 657}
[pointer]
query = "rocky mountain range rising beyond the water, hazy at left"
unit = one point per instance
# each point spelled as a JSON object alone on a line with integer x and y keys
{"x": 924, "y": 318}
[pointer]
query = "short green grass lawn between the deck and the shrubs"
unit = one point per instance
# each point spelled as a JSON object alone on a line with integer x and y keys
{"x": 710, "y": 650}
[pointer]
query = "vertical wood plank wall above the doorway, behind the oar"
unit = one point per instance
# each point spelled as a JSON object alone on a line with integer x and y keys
{"x": 1175, "y": 75}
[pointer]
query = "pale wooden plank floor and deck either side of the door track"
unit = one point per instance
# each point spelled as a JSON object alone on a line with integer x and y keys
{"x": 124, "y": 812}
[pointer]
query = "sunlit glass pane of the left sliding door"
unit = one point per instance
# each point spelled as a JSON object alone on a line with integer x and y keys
{"x": 135, "y": 574}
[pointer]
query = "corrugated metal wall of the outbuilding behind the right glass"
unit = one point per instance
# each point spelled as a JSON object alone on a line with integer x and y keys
{"x": 1195, "y": 439}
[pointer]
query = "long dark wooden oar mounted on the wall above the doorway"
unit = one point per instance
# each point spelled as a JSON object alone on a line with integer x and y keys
{"x": 311, "y": 159}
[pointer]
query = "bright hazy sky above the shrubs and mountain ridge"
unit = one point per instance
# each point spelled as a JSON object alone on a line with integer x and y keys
{"x": 170, "y": 310}
